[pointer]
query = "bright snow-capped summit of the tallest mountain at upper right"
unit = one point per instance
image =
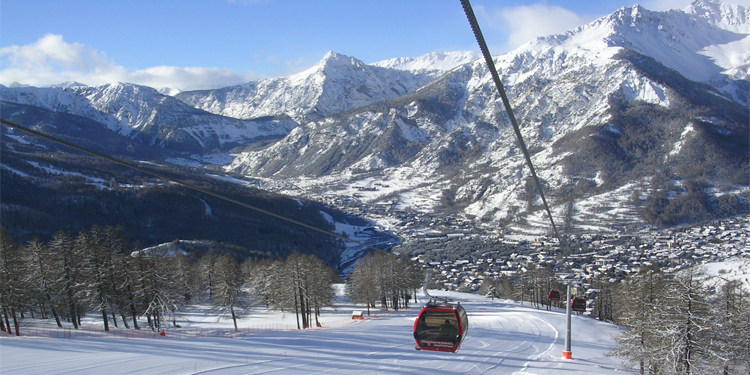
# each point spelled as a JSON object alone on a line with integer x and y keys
{"x": 708, "y": 42}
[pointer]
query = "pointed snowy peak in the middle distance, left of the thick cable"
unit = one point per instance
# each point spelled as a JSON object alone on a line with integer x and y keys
{"x": 335, "y": 84}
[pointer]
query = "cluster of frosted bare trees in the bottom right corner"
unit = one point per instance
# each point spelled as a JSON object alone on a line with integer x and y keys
{"x": 683, "y": 323}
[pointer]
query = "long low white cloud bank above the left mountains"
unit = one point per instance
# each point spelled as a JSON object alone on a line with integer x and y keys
{"x": 51, "y": 60}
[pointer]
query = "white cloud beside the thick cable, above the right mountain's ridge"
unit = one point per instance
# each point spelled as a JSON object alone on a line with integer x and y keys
{"x": 525, "y": 23}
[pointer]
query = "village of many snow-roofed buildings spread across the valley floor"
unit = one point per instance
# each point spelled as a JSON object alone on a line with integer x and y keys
{"x": 590, "y": 257}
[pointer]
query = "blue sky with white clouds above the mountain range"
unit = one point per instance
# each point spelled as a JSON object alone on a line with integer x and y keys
{"x": 193, "y": 44}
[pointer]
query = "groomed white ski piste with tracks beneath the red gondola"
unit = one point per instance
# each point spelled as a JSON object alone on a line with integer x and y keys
{"x": 504, "y": 338}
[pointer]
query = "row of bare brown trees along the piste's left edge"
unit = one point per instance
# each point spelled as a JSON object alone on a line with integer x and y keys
{"x": 98, "y": 270}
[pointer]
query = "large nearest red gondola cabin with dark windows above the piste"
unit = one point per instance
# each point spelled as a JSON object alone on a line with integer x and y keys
{"x": 441, "y": 327}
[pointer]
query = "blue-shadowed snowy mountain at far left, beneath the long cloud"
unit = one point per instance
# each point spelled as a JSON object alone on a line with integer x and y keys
{"x": 142, "y": 113}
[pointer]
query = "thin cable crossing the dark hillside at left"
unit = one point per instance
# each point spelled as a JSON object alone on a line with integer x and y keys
{"x": 185, "y": 184}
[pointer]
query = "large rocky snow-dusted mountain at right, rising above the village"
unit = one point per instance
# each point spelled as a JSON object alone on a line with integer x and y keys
{"x": 449, "y": 143}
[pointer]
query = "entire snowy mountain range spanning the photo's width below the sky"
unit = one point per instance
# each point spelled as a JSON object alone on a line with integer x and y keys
{"x": 637, "y": 118}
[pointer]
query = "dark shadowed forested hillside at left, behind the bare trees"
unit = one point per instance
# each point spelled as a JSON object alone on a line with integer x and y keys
{"x": 37, "y": 203}
